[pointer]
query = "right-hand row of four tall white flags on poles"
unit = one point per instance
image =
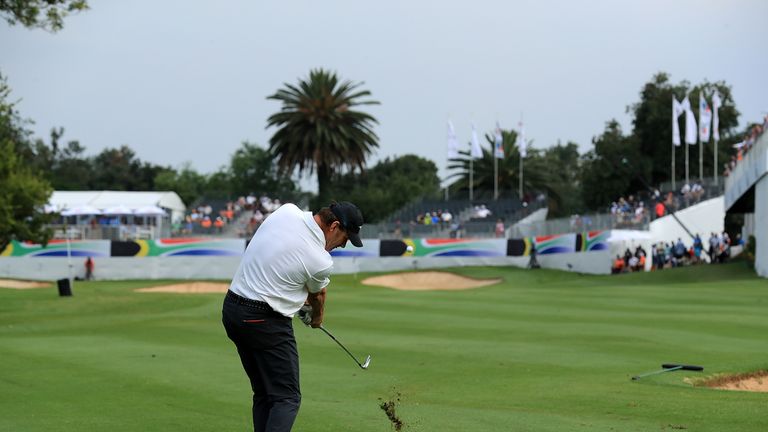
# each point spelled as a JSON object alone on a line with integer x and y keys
{"x": 694, "y": 134}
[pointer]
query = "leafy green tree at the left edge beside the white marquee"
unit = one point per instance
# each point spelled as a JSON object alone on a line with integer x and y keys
{"x": 22, "y": 193}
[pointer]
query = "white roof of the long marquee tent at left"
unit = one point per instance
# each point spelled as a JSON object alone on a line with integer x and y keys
{"x": 132, "y": 201}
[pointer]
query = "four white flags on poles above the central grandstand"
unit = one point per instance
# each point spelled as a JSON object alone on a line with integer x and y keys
{"x": 475, "y": 151}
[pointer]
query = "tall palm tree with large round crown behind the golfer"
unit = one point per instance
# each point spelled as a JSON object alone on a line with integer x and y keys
{"x": 319, "y": 129}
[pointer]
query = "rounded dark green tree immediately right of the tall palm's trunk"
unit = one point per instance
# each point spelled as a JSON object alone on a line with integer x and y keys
{"x": 388, "y": 186}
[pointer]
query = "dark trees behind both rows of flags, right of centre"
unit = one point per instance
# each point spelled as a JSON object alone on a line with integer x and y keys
{"x": 618, "y": 164}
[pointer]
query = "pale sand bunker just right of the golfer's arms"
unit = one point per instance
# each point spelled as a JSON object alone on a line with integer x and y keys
{"x": 428, "y": 281}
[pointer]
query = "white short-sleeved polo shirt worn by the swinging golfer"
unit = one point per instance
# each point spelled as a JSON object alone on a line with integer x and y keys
{"x": 286, "y": 254}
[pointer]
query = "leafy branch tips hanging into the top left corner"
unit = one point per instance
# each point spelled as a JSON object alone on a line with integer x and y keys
{"x": 45, "y": 14}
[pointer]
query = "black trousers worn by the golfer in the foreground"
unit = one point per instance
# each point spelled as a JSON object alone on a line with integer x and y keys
{"x": 267, "y": 349}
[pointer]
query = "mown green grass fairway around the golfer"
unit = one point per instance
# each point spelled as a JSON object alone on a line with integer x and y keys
{"x": 541, "y": 351}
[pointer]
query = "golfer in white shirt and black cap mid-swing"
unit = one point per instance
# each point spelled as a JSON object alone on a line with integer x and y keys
{"x": 286, "y": 264}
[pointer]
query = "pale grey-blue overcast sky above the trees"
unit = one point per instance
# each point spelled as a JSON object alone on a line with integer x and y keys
{"x": 186, "y": 81}
